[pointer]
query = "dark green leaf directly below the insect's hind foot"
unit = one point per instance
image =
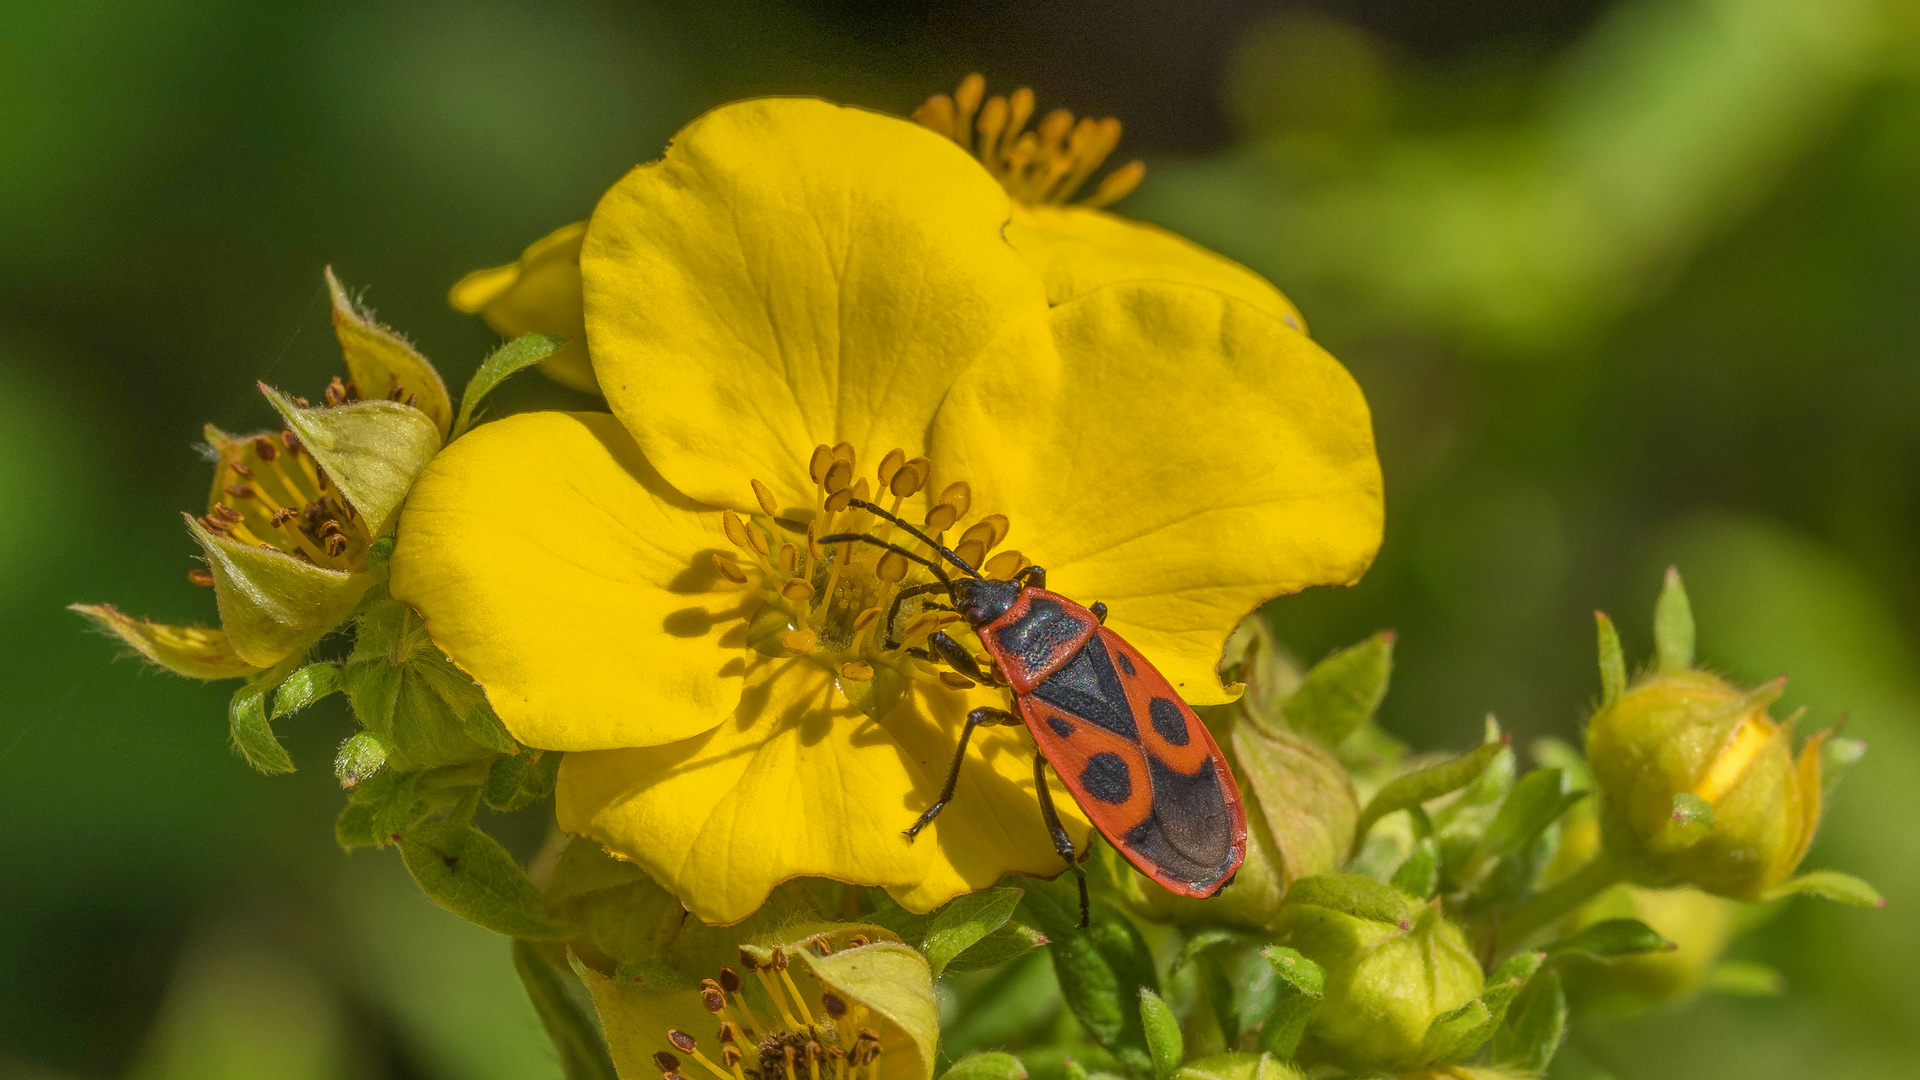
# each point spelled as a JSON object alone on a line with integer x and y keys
{"x": 1099, "y": 970}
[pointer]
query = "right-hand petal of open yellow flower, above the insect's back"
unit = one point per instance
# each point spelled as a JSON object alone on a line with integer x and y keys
{"x": 1174, "y": 453}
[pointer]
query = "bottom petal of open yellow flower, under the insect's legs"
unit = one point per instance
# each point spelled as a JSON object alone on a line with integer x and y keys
{"x": 802, "y": 783}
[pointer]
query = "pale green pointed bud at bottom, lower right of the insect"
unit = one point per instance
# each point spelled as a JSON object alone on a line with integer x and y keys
{"x": 1389, "y": 973}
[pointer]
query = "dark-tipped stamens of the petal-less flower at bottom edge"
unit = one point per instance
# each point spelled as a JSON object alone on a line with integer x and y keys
{"x": 792, "y": 1044}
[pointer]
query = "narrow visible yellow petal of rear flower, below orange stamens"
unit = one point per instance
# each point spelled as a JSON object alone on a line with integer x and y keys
{"x": 1078, "y": 251}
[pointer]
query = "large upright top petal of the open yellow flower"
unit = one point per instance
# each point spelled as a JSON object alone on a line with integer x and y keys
{"x": 794, "y": 274}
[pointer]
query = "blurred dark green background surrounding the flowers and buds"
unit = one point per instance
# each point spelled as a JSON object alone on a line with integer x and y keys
{"x": 1627, "y": 283}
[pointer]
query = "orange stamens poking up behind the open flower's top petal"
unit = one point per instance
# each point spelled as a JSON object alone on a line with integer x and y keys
{"x": 1042, "y": 168}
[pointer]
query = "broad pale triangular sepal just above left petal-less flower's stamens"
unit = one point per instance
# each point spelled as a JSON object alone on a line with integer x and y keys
{"x": 372, "y": 451}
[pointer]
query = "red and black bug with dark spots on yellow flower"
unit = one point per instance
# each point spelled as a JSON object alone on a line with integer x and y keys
{"x": 1134, "y": 754}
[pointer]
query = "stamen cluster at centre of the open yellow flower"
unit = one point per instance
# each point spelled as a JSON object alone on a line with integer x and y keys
{"x": 855, "y": 608}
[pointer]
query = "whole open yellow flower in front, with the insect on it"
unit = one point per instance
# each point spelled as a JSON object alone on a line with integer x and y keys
{"x": 804, "y": 305}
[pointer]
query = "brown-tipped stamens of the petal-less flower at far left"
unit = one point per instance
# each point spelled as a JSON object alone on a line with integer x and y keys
{"x": 272, "y": 495}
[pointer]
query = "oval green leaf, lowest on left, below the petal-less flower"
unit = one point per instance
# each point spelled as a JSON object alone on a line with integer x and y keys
{"x": 473, "y": 877}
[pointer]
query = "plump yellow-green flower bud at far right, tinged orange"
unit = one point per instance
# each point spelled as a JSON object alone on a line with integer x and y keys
{"x": 1698, "y": 785}
